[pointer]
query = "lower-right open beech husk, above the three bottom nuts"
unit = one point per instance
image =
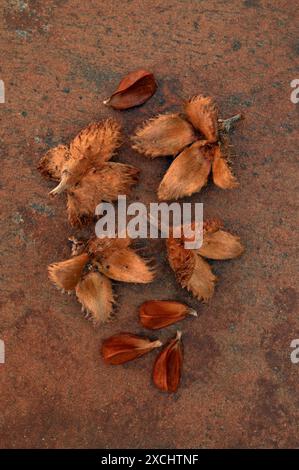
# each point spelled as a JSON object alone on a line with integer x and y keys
{"x": 191, "y": 270}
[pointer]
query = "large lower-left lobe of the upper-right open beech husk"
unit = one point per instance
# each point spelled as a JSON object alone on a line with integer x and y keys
{"x": 187, "y": 174}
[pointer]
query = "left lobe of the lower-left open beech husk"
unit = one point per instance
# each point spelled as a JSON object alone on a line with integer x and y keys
{"x": 66, "y": 274}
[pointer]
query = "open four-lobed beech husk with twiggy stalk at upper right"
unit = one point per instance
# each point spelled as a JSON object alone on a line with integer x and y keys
{"x": 173, "y": 134}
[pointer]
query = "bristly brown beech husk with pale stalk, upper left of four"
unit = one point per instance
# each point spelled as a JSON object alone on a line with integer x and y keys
{"x": 83, "y": 170}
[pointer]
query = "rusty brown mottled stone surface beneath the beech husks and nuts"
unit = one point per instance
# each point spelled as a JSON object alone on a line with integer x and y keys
{"x": 59, "y": 60}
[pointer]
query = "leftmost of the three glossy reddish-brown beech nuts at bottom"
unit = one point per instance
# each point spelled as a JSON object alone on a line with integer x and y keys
{"x": 125, "y": 347}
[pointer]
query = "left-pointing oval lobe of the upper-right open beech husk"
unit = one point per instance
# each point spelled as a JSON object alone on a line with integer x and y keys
{"x": 163, "y": 135}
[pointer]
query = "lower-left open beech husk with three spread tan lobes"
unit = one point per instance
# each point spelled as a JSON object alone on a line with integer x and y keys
{"x": 89, "y": 270}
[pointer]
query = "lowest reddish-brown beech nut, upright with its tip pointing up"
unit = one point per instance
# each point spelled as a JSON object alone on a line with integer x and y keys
{"x": 168, "y": 365}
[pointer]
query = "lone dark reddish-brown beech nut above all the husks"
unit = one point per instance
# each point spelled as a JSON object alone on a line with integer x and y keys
{"x": 133, "y": 90}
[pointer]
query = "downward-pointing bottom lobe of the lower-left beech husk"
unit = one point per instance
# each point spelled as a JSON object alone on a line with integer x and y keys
{"x": 95, "y": 294}
